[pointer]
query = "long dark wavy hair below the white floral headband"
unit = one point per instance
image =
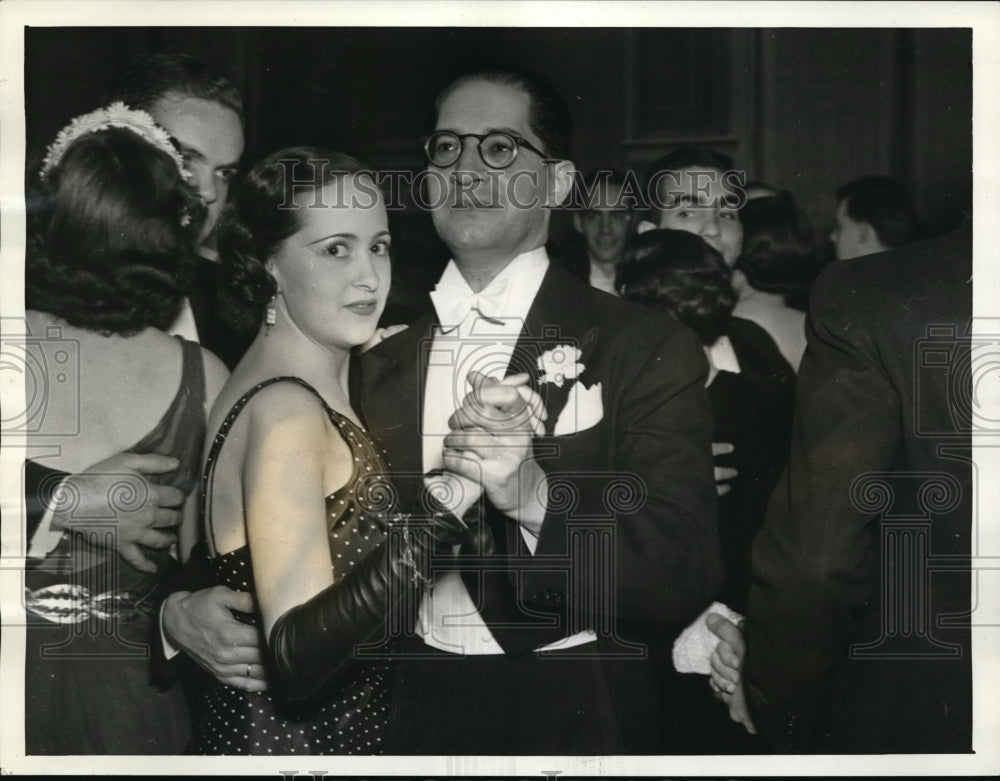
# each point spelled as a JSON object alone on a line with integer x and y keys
{"x": 106, "y": 248}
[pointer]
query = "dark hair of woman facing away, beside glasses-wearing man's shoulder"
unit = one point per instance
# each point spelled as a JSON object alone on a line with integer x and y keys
{"x": 678, "y": 273}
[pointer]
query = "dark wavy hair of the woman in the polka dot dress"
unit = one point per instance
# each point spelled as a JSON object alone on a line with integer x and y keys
{"x": 262, "y": 216}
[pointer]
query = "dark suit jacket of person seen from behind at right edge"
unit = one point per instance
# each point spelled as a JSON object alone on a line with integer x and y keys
{"x": 861, "y": 579}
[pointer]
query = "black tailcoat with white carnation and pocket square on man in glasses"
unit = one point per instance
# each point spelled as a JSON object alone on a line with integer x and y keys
{"x": 644, "y": 470}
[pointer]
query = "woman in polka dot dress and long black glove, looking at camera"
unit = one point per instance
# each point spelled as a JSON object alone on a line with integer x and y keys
{"x": 297, "y": 507}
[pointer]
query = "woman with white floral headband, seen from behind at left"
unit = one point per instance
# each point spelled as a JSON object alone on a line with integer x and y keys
{"x": 112, "y": 229}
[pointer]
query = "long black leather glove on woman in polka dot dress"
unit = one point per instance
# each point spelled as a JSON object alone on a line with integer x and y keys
{"x": 314, "y": 644}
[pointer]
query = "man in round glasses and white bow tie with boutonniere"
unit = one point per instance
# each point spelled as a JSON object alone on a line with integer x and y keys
{"x": 527, "y": 643}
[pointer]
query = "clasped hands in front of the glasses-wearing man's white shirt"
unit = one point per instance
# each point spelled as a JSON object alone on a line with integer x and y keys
{"x": 490, "y": 445}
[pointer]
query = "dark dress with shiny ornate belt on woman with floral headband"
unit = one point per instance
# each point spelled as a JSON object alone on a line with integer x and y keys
{"x": 91, "y": 617}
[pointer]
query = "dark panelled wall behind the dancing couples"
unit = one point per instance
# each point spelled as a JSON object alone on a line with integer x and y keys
{"x": 803, "y": 109}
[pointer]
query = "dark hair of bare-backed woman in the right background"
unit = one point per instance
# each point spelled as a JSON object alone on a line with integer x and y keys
{"x": 778, "y": 253}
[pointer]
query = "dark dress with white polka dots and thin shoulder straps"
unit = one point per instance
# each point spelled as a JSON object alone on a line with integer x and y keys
{"x": 351, "y": 718}
